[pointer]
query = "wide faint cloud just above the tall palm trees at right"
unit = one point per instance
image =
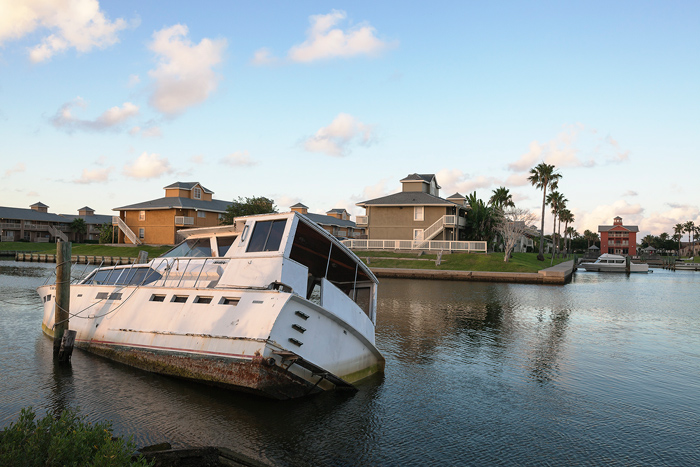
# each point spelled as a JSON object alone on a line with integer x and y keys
{"x": 576, "y": 146}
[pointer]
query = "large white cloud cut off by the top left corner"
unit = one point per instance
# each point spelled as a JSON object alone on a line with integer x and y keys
{"x": 78, "y": 24}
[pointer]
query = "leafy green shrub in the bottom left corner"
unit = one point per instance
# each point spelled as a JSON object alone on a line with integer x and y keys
{"x": 64, "y": 439}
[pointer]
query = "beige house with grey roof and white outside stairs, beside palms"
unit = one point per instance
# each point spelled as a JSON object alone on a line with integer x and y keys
{"x": 417, "y": 212}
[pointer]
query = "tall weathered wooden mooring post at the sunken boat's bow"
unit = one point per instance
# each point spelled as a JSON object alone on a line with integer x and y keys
{"x": 62, "y": 338}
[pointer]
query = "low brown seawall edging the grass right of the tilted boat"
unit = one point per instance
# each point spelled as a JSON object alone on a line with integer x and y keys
{"x": 555, "y": 275}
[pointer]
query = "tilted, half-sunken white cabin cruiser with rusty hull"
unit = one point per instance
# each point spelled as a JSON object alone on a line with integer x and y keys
{"x": 272, "y": 305}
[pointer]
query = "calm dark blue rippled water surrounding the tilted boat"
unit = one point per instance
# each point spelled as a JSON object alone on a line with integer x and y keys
{"x": 603, "y": 371}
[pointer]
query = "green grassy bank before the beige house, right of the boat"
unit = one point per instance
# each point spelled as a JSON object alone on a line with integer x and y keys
{"x": 520, "y": 262}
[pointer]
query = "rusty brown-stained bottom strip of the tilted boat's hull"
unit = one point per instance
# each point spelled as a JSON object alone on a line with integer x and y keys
{"x": 256, "y": 375}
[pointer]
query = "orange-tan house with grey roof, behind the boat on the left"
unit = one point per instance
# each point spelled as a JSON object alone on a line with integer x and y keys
{"x": 185, "y": 205}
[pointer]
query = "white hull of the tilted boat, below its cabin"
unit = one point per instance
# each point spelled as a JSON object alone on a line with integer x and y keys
{"x": 244, "y": 347}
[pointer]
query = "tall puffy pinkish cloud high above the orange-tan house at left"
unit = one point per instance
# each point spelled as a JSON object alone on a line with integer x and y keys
{"x": 184, "y": 75}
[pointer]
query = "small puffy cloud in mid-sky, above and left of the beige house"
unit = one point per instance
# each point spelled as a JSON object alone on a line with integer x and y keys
{"x": 336, "y": 138}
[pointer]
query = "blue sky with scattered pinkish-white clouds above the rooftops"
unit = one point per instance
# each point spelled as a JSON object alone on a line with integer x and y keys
{"x": 332, "y": 103}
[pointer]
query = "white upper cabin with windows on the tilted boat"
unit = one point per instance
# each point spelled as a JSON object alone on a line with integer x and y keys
{"x": 283, "y": 251}
